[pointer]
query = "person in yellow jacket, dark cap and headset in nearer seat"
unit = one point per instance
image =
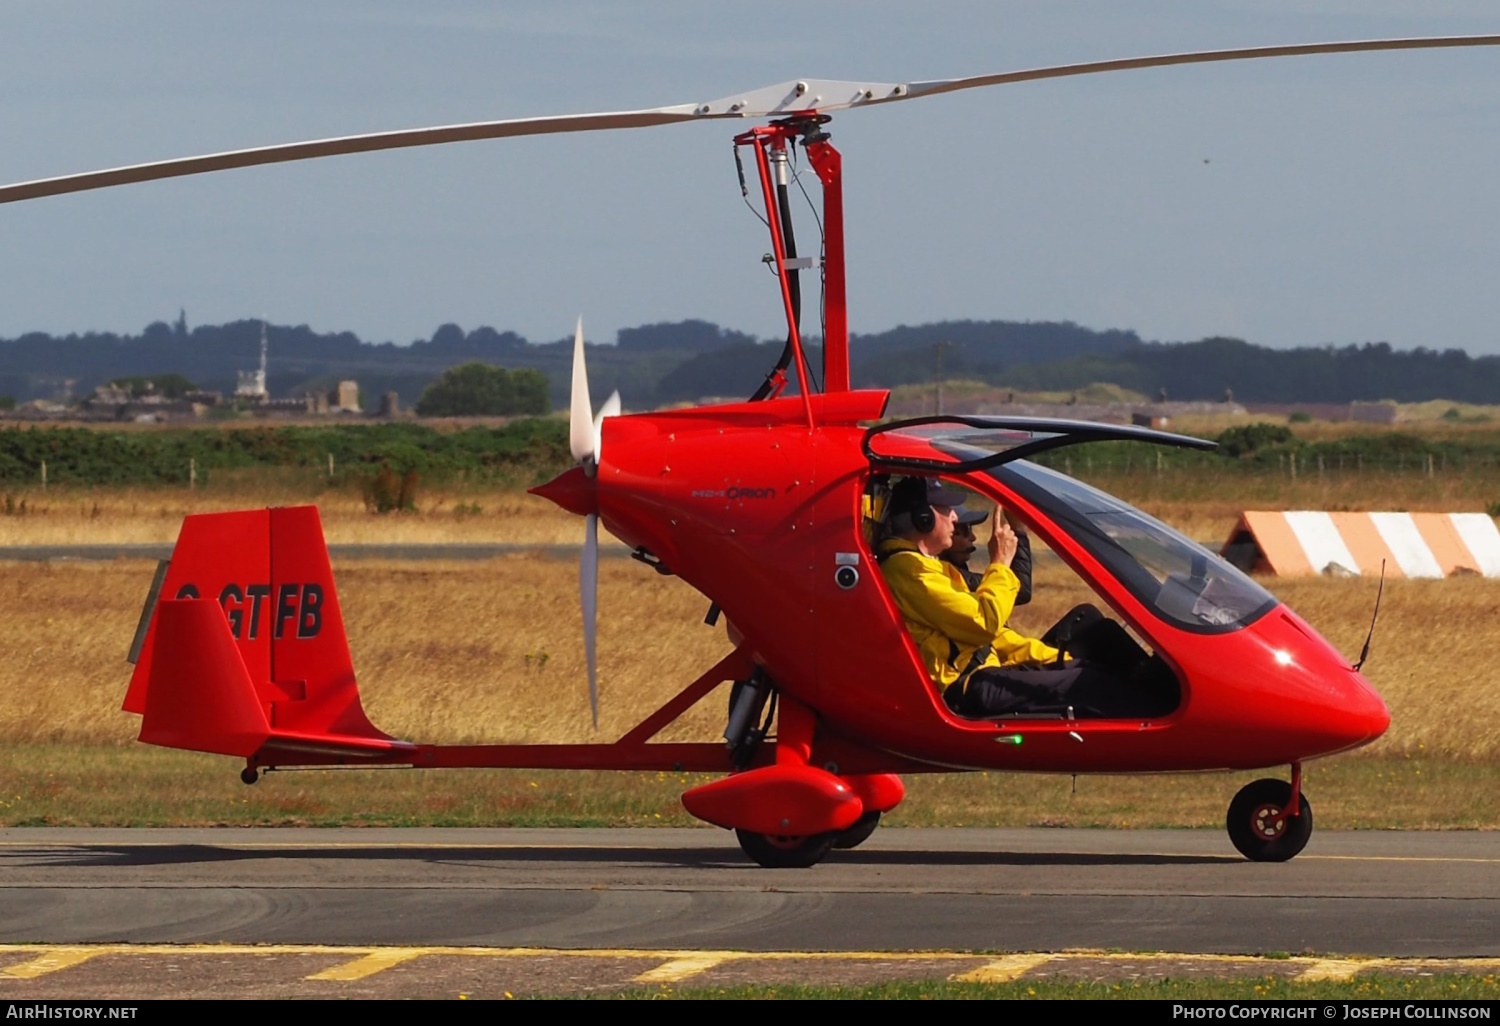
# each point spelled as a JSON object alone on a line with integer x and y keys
{"x": 980, "y": 667}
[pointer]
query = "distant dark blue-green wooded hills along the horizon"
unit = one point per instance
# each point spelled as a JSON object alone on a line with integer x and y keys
{"x": 689, "y": 361}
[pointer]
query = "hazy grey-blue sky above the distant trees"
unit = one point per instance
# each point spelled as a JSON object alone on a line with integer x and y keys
{"x": 1295, "y": 202}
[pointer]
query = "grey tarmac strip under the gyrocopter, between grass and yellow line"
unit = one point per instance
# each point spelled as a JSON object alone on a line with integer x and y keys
{"x": 1399, "y": 895}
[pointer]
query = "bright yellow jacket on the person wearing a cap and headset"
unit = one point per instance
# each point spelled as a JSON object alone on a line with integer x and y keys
{"x": 952, "y": 623}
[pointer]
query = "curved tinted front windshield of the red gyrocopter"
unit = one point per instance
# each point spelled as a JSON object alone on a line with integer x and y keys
{"x": 1181, "y": 581}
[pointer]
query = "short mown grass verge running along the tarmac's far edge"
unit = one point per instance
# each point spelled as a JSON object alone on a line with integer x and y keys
{"x": 71, "y": 785}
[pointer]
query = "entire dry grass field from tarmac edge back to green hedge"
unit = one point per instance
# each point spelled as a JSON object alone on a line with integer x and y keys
{"x": 491, "y": 652}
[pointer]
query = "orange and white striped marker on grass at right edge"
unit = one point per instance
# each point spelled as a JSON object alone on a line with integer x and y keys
{"x": 1412, "y": 545}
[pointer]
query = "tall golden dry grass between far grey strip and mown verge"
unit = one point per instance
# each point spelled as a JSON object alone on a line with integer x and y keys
{"x": 491, "y": 652}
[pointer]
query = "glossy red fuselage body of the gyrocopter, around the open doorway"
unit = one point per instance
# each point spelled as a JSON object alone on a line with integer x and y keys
{"x": 761, "y": 514}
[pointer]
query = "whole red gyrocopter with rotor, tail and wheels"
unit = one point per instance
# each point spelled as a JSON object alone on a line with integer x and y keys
{"x": 764, "y": 508}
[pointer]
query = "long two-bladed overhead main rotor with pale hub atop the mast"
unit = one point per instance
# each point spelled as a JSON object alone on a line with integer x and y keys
{"x": 787, "y": 98}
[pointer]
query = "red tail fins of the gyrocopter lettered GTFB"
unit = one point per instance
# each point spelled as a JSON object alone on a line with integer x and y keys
{"x": 268, "y": 572}
